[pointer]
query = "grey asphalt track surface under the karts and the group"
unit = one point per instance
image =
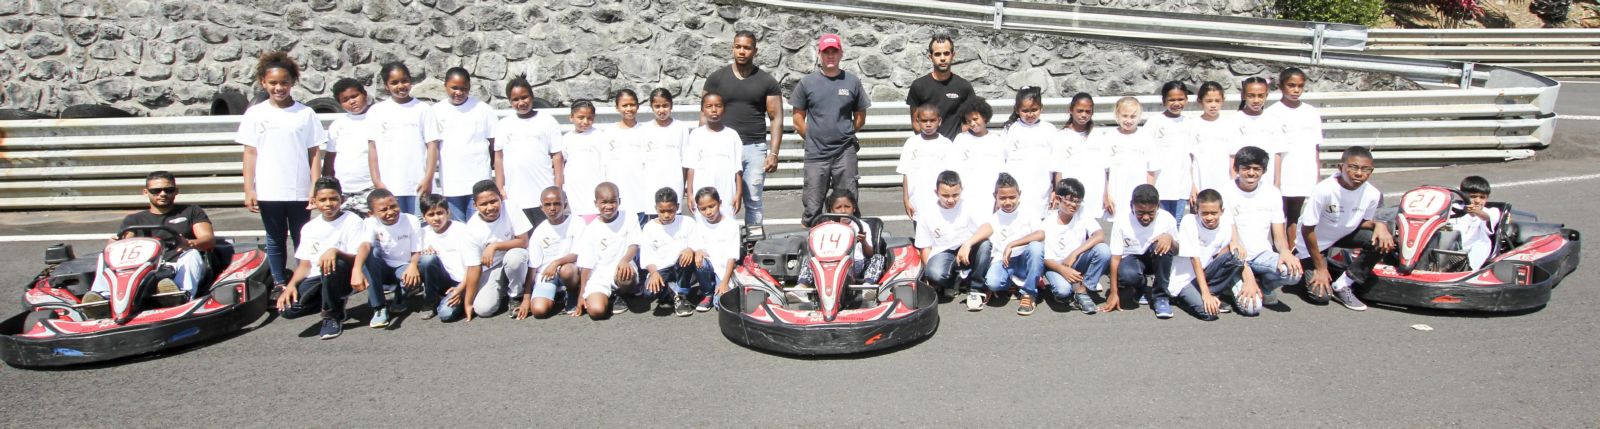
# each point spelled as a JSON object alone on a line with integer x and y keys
{"x": 1311, "y": 366}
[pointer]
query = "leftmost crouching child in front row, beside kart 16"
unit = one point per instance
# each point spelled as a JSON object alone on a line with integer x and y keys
{"x": 326, "y": 262}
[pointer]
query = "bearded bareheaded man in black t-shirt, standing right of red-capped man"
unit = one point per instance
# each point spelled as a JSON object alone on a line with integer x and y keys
{"x": 942, "y": 89}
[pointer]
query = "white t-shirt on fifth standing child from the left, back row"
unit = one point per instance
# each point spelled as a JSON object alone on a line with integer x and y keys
{"x": 527, "y": 148}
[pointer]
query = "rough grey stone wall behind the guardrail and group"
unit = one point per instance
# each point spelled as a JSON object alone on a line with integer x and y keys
{"x": 175, "y": 57}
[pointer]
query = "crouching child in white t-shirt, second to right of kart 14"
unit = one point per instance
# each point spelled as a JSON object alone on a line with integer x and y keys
{"x": 1022, "y": 260}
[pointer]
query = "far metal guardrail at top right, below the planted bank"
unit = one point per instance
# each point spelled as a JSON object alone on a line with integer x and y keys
{"x": 1548, "y": 52}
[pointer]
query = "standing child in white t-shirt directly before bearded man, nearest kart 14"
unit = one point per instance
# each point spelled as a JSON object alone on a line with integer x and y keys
{"x": 922, "y": 159}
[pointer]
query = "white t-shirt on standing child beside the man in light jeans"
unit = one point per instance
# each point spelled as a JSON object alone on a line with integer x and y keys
{"x": 718, "y": 158}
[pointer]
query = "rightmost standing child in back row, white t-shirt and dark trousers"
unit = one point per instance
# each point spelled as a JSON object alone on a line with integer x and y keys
{"x": 1300, "y": 170}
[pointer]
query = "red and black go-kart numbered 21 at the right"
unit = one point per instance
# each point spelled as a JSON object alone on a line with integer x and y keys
{"x": 1430, "y": 270}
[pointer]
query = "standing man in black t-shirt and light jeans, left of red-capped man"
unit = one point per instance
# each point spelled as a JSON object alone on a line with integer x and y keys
{"x": 753, "y": 108}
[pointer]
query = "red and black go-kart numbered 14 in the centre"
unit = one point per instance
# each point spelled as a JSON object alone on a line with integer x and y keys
{"x": 834, "y": 316}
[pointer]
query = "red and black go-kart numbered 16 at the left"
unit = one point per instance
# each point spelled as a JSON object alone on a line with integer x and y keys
{"x": 58, "y": 329}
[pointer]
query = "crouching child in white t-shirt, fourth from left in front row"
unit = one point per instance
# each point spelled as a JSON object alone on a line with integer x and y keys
{"x": 498, "y": 254}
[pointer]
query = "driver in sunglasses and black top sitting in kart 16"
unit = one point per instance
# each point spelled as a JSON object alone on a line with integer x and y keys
{"x": 188, "y": 222}
